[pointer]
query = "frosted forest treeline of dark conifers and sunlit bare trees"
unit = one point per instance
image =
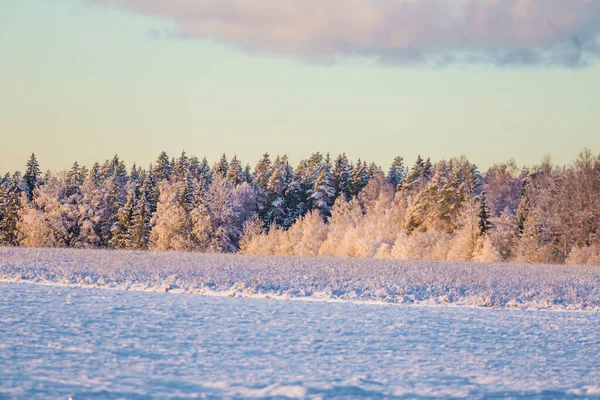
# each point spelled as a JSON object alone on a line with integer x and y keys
{"x": 448, "y": 210}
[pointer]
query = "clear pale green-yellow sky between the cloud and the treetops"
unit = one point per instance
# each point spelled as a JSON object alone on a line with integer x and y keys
{"x": 82, "y": 82}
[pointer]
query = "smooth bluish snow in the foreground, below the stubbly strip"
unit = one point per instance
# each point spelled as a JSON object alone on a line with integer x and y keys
{"x": 57, "y": 342}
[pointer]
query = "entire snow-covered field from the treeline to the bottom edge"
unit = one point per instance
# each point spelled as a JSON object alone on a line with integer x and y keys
{"x": 60, "y": 337}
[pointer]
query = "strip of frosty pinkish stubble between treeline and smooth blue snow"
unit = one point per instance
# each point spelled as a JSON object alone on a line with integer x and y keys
{"x": 553, "y": 287}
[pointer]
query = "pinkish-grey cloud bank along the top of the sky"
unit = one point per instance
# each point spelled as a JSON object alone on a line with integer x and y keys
{"x": 501, "y": 32}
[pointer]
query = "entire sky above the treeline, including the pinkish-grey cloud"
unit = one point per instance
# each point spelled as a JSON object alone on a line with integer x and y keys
{"x": 81, "y": 80}
